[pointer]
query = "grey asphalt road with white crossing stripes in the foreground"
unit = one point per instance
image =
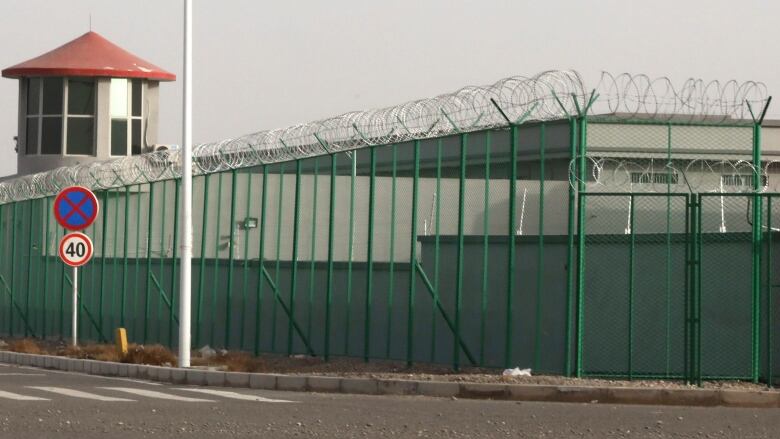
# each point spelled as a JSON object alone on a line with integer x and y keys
{"x": 37, "y": 403}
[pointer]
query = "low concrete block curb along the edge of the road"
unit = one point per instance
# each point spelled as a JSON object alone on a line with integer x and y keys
{"x": 371, "y": 386}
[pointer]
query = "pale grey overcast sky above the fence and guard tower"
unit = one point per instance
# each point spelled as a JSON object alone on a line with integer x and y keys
{"x": 268, "y": 64}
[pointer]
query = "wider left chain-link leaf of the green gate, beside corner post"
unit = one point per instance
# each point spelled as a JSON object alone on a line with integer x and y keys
{"x": 634, "y": 289}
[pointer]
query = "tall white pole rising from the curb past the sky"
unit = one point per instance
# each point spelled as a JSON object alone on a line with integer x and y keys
{"x": 185, "y": 264}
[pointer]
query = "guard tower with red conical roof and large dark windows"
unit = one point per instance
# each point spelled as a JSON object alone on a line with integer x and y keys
{"x": 85, "y": 101}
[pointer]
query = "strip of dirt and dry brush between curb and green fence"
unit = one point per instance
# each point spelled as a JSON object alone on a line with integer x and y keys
{"x": 336, "y": 366}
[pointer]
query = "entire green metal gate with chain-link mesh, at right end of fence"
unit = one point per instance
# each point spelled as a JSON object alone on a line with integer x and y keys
{"x": 679, "y": 286}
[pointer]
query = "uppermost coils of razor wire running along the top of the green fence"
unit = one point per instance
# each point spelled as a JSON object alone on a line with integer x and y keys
{"x": 546, "y": 96}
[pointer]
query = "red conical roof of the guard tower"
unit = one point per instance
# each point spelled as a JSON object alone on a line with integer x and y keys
{"x": 89, "y": 55}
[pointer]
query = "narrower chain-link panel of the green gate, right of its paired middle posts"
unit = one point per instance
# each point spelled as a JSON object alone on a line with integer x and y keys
{"x": 728, "y": 295}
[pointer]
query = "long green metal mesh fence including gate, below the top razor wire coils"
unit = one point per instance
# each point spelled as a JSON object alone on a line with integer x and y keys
{"x": 488, "y": 248}
